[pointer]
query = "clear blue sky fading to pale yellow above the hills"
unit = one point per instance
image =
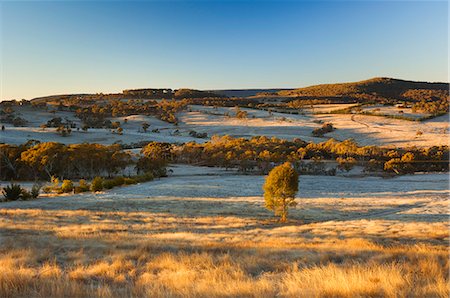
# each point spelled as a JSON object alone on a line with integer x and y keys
{"x": 88, "y": 47}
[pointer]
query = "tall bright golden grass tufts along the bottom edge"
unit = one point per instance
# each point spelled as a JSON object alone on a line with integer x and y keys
{"x": 221, "y": 274}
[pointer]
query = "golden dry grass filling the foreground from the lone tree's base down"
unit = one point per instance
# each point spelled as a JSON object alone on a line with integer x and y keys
{"x": 79, "y": 253}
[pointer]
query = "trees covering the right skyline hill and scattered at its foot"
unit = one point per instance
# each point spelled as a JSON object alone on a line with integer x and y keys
{"x": 426, "y": 97}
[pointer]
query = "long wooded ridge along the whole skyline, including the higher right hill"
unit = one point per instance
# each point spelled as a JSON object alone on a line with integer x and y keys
{"x": 378, "y": 89}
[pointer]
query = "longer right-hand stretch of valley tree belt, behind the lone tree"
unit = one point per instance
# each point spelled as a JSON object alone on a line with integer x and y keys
{"x": 261, "y": 153}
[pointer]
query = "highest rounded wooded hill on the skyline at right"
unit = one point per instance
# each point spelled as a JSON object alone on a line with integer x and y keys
{"x": 377, "y": 87}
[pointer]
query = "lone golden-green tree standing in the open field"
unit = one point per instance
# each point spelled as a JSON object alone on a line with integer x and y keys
{"x": 280, "y": 188}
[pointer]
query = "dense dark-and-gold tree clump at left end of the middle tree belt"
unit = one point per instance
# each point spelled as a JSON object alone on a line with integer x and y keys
{"x": 43, "y": 160}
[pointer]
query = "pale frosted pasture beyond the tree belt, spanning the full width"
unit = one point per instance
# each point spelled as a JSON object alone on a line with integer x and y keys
{"x": 366, "y": 130}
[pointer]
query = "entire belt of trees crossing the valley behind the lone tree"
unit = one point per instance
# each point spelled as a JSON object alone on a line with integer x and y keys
{"x": 33, "y": 161}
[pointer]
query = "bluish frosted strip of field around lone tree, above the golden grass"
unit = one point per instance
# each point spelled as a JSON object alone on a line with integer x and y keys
{"x": 202, "y": 191}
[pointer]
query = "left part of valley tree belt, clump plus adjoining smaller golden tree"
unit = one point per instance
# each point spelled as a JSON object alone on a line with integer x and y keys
{"x": 44, "y": 161}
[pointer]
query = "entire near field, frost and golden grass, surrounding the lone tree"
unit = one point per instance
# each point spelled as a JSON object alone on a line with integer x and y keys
{"x": 204, "y": 232}
